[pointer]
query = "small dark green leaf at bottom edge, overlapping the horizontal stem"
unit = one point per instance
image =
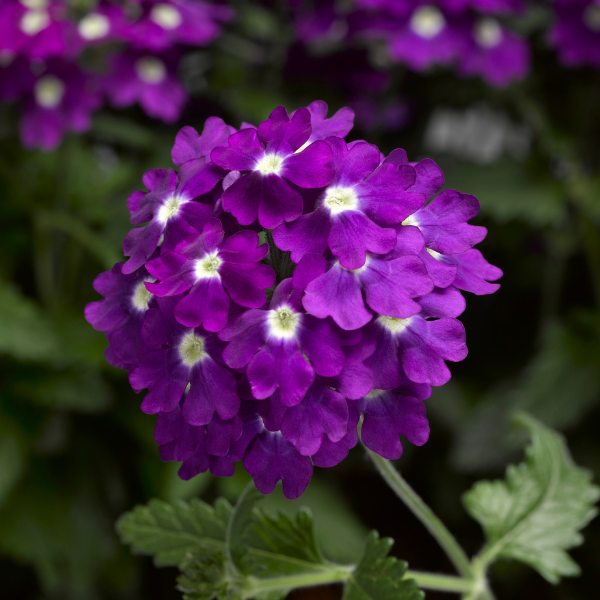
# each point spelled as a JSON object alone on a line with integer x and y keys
{"x": 379, "y": 576}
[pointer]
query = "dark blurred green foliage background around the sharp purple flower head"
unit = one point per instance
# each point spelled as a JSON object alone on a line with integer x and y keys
{"x": 75, "y": 450}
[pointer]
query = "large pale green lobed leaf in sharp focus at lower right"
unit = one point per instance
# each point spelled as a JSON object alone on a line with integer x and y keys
{"x": 535, "y": 515}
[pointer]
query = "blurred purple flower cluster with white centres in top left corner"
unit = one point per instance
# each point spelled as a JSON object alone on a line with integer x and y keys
{"x": 41, "y": 41}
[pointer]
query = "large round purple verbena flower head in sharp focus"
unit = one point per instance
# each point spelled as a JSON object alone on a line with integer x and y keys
{"x": 271, "y": 352}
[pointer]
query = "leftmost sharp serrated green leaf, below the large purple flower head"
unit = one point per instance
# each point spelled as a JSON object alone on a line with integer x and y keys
{"x": 170, "y": 531}
